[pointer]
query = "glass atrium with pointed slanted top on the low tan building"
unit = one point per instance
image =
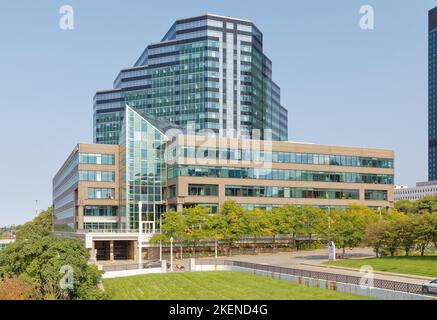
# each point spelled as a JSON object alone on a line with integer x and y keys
{"x": 142, "y": 169}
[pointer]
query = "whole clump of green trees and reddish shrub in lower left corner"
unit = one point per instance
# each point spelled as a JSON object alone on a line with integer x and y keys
{"x": 40, "y": 265}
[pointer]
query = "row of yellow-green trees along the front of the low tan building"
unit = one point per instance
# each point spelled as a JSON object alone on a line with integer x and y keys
{"x": 346, "y": 227}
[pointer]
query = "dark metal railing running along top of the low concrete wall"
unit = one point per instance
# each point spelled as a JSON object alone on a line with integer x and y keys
{"x": 377, "y": 283}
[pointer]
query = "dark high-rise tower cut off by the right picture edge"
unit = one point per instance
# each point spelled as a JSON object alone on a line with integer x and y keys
{"x": 432, "y": 102}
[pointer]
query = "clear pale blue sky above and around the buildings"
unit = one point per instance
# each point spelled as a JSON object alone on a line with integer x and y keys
{"x": 341, "y": 85}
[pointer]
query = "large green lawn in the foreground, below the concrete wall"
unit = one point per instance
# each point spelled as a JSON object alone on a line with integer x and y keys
{"x": 214, "y": 285}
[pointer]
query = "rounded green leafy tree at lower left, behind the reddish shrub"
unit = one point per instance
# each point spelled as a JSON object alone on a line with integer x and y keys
{"x": 42, "y": 261}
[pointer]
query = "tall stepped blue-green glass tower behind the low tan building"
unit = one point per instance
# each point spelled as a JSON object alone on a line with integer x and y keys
{"x": 207, "y": 73}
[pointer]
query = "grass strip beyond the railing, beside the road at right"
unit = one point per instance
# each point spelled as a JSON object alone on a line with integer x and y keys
{"x": 421, "y": 266}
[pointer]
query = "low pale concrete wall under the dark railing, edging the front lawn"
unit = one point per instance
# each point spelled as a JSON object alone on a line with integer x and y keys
{"x": 324, "y": 284}
